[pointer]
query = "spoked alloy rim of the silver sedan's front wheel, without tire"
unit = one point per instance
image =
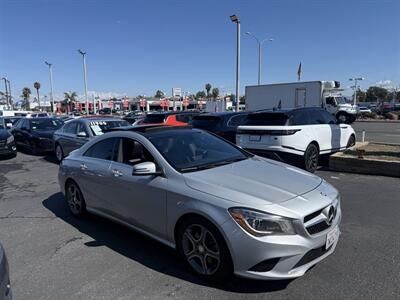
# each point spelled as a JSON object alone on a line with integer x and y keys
{"x": 201, "y": 250}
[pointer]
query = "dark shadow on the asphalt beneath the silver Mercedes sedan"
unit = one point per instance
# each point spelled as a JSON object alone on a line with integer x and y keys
{"x": 146, "y": 251}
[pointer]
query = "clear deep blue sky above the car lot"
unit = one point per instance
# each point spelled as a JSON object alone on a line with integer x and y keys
{"x": 136, "y": 47}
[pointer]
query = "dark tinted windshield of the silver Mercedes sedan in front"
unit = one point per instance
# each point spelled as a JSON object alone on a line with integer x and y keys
{"x": 194, "y": 150}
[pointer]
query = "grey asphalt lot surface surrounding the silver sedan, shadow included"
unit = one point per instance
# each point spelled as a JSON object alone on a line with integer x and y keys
{"x": 52, "y": 255}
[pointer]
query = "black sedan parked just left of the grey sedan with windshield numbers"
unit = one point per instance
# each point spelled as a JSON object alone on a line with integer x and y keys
{"x": 36, "y": 134}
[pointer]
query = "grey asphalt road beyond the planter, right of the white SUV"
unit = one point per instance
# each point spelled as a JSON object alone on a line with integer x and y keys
{"x": 383, "y": 132}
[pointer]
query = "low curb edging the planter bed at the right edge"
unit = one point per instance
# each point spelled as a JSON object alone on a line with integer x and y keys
{"x": 337, "y": 162}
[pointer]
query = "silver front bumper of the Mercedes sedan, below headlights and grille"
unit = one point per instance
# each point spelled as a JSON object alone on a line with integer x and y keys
{"x": 281, "y": 257}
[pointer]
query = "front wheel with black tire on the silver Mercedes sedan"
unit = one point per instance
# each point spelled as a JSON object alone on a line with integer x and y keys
{"x": 204, "y": 250}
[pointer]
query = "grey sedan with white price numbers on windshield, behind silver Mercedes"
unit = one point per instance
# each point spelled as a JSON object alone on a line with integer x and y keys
{"x": 77, "y": 132}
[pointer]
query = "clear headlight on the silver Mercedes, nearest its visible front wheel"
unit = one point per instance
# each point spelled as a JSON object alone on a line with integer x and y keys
{"x": 260, "y": 224}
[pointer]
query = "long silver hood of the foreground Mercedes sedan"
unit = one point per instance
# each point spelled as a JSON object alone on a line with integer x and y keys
{"x": 253, "y": 181}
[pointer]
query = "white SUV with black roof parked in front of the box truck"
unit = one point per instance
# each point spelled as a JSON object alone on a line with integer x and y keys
{"x": 304, "y": 132}
